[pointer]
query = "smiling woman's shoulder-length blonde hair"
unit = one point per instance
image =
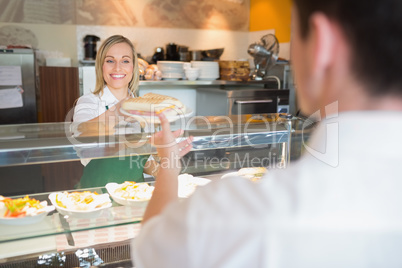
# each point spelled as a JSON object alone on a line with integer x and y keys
{"x": 100, "y": 59}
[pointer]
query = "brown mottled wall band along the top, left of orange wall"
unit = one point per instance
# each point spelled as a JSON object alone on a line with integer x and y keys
{"x": 188, "y": 14}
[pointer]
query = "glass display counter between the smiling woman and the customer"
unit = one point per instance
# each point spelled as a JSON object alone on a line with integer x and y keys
{"x": 266, "y": 137}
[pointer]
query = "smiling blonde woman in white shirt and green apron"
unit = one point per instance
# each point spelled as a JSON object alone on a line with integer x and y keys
{"x": 117, "y": 79}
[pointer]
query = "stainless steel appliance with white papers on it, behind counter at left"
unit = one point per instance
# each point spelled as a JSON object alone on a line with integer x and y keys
{"x": 18, "y": 61}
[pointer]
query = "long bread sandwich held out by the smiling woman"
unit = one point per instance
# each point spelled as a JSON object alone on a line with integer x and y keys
{"x": 152, "y": 104}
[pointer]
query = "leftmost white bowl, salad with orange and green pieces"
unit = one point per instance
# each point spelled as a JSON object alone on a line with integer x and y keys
{"x": 21, "y": 211}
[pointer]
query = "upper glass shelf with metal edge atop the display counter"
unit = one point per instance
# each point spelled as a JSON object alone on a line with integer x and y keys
{"x": 55, "y": 142}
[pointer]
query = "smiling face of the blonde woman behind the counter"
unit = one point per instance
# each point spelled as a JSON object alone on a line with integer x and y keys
{"x": 118, "y": 67}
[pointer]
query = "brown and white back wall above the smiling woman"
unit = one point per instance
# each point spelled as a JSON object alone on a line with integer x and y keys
{"x": 57, "y": 27}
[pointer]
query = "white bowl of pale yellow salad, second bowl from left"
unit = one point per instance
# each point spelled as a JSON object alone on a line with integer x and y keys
{"x": 84, "y": 204}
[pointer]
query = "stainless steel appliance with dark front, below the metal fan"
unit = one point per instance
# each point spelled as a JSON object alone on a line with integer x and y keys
{"x": 252, "y": 97}
